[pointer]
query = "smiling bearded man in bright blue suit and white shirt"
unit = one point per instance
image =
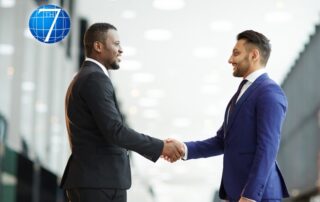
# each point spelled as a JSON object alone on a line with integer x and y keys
{"x": 249, "y": 137}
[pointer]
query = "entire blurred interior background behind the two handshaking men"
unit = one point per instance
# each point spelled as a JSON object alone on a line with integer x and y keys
{"x": 174, "y": 81}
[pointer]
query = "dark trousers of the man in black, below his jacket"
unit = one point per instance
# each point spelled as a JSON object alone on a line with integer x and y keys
{"x": 96, "y": 195}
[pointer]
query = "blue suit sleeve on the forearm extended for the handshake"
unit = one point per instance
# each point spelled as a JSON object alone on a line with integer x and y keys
{"x": 206, "y": 148}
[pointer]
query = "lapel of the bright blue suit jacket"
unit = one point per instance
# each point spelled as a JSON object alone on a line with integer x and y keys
{"x": 242, "y": 100}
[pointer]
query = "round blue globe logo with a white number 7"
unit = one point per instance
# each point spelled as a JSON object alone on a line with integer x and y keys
{"x": 49, "y": 23}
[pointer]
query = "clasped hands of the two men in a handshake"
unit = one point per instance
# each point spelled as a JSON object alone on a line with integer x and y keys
{"x": 173, "y": 150}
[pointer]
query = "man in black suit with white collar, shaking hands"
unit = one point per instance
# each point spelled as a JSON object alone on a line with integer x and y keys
{"x": 98, "y": 169}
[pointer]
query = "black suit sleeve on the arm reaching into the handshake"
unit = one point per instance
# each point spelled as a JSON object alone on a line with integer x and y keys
{"x": 97, "y": 92}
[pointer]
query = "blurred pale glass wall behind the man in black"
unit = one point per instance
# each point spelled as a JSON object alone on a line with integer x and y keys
{"x": 33, "y": 80}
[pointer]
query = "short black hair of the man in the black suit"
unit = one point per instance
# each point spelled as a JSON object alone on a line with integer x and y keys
{"x": 96, "y": 32}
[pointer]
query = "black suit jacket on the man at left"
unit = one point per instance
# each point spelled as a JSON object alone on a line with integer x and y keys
{"x": 98, "y": 137}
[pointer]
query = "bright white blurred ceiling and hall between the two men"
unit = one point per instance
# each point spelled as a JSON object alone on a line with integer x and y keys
{"x": 179, "y": 85}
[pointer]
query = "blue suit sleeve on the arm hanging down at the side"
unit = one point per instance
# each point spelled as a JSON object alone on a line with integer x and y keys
{"x": 271, "y": 110}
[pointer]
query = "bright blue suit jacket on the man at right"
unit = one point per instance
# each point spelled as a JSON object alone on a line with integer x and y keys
{"x": 250, "y": 141}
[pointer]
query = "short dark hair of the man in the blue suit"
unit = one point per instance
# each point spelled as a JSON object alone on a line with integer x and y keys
{"x": 258, "y": 40}
